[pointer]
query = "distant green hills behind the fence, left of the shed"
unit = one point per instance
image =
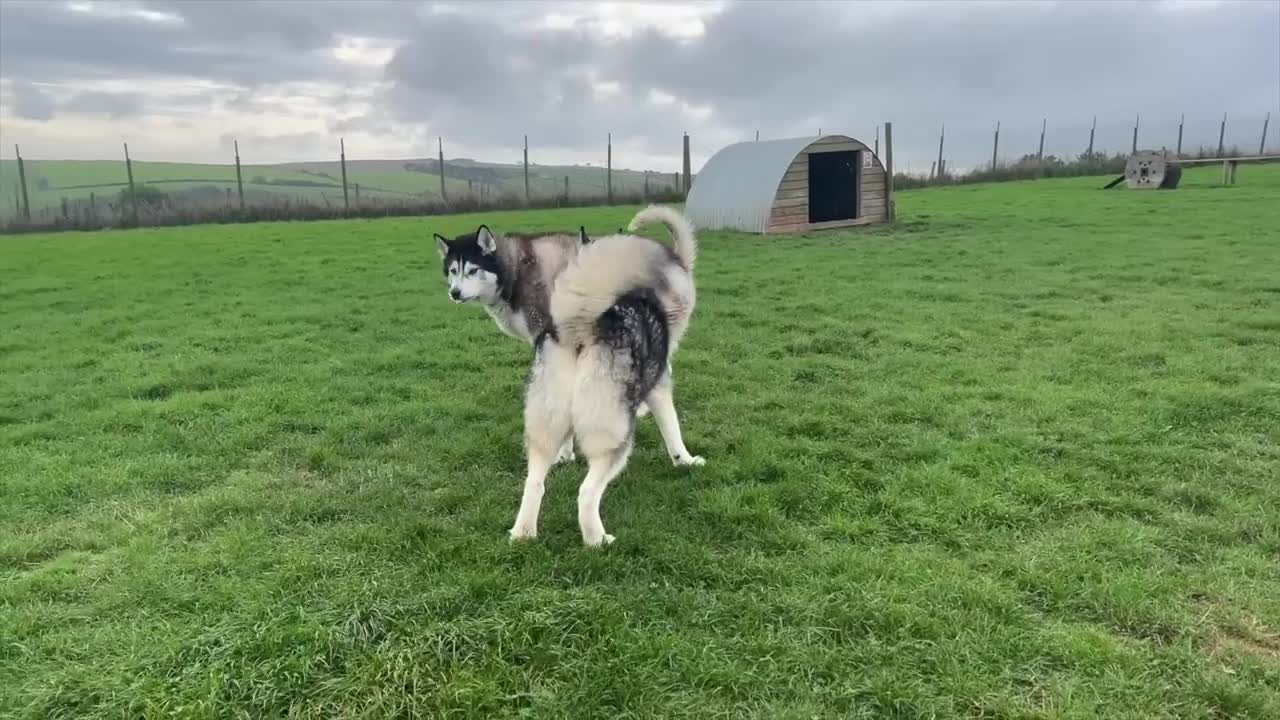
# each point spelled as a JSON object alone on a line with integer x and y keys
{"x": 49, "y": 183}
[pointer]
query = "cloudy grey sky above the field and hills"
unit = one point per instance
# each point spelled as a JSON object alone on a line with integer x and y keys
{"x": 181, "y": 80}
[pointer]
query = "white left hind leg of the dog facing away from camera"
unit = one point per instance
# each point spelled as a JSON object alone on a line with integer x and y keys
{"x": 547, "y": 430}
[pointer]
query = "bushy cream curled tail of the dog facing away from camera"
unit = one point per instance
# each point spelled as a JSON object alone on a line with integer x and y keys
{"x": 602, "y": 272}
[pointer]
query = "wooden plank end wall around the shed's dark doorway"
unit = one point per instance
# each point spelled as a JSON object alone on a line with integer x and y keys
{"x": 792, "y": 203}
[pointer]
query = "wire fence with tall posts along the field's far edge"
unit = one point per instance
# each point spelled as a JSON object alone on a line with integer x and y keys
{"x": 129, "y": 194}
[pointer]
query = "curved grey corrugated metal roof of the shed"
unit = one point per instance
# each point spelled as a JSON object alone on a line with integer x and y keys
{"x": 735, "y": 189}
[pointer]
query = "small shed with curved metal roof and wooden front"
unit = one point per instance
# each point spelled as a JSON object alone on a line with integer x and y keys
{"x": 793, "y": 185}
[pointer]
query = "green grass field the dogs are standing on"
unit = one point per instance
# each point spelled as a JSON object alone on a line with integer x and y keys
{"x": 1018, "y": 457}
